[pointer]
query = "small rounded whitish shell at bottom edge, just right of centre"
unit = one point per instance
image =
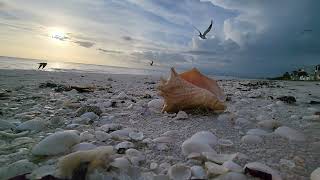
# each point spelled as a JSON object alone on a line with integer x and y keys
{"x": 179, "y": 172}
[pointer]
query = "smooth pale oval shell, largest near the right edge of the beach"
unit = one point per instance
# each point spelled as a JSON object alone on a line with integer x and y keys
{"x": 289, "y": 133}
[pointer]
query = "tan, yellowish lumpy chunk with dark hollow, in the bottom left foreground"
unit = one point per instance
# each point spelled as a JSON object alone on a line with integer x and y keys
{"x": 101, "y": 157}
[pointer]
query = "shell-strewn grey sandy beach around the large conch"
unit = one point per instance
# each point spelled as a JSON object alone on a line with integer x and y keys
{"x": 256, "y": 125}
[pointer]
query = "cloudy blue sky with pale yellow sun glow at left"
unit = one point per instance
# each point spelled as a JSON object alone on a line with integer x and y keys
{"x": 249, "y": 37}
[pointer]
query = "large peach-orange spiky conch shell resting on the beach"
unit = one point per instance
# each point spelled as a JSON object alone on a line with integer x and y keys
{"x": 190, "y": 90}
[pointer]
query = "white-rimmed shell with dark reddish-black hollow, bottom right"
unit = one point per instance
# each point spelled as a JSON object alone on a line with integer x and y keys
{"x": 257, "y": 169}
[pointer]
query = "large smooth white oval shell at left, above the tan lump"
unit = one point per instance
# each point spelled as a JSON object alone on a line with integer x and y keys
{"x": 57, "y": 143}
